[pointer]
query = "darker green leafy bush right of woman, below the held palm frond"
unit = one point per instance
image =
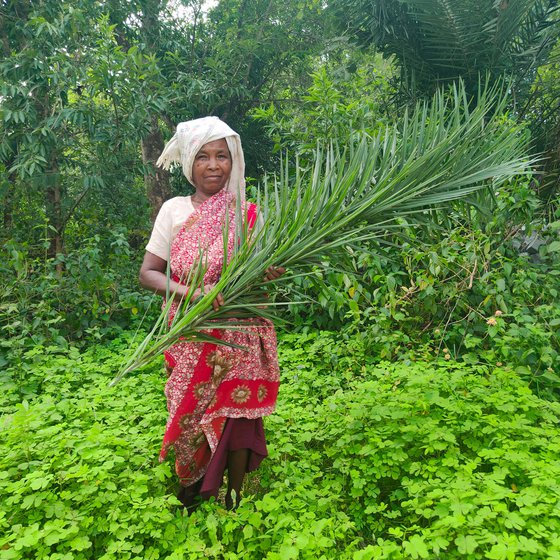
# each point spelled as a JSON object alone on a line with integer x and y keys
{"x": 463, "y": 295}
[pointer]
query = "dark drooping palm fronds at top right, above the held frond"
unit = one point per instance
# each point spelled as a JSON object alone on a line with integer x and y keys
{"x": 439, "y": 41}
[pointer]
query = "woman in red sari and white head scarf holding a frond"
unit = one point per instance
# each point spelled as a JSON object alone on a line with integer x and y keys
{"x": 216, "y": 394}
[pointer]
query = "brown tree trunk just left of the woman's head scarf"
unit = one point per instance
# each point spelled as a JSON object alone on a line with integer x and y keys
{"x": 156, "y": 179}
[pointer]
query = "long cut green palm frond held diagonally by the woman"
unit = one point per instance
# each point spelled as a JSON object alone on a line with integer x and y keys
{"x": 441, "y": 152}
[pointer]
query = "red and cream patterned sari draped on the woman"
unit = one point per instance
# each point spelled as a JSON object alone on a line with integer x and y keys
{"x": 210, "y": 383}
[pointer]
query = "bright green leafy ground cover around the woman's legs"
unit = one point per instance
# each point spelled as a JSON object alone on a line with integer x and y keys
{"x": 367, "y": 460}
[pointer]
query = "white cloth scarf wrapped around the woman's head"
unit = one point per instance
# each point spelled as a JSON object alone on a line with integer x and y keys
{"x": 189, "y": 139}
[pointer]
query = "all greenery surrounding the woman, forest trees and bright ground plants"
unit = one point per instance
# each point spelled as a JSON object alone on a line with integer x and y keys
{"x": 419, "y": 409}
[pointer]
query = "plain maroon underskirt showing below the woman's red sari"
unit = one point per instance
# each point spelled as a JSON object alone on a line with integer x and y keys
{"x": 239, "y": 433}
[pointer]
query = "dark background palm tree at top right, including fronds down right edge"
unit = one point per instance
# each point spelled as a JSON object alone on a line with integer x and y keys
{"x": 436, "y": 42}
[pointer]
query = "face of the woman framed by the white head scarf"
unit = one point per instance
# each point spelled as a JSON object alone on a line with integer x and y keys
{"x": 211, "y": 168}
